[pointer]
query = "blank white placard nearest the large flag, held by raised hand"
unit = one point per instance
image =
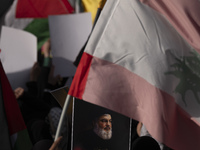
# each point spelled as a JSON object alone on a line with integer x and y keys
{"x": 68, "y": 35}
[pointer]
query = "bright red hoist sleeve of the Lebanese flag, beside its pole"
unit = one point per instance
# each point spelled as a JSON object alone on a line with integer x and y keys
{"x": 78, "y": 86}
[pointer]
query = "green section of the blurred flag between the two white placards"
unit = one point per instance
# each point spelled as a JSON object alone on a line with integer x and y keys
{"x": 40, "y": 28}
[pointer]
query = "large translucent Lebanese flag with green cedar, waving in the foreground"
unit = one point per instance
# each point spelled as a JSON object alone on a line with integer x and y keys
{"x": 142, "y": 60}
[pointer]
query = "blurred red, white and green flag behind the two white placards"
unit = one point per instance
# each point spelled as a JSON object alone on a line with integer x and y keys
{"x": 32, "y": 16}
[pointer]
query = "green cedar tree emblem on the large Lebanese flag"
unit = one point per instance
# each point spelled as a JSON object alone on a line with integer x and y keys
{"x": 187, "y": 69}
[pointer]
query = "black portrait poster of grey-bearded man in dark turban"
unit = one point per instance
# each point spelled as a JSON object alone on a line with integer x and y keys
{"x": 97, "y": 128}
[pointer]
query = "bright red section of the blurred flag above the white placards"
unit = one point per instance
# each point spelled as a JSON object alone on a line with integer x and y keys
{"x": 42, "y": 8}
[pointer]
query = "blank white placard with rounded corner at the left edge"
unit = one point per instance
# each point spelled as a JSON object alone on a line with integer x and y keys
{"x": 18, "y": 54}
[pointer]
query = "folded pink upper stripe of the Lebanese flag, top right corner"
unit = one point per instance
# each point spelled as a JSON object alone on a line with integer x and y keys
{"x": 183, "y": 15}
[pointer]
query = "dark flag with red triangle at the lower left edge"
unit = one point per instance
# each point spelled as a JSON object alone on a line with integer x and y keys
{"x": 14, "y": 132}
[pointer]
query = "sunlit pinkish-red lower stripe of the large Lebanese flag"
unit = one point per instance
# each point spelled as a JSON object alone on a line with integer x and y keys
{"x": 116, "y": 88}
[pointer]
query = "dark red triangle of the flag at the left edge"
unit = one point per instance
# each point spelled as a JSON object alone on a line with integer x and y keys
{"x": 13, "y": 113}
